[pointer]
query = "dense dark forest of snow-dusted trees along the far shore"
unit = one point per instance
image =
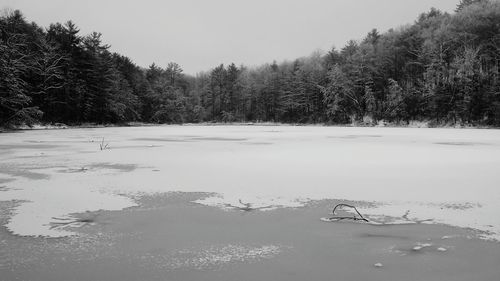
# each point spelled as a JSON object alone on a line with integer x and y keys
{"x": 442, "y": 69}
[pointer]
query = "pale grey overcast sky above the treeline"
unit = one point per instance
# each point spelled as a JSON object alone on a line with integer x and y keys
{"x": 200, "y": 34}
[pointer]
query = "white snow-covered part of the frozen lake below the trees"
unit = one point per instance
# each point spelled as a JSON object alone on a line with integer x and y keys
{"x": 401, "y": 175}
